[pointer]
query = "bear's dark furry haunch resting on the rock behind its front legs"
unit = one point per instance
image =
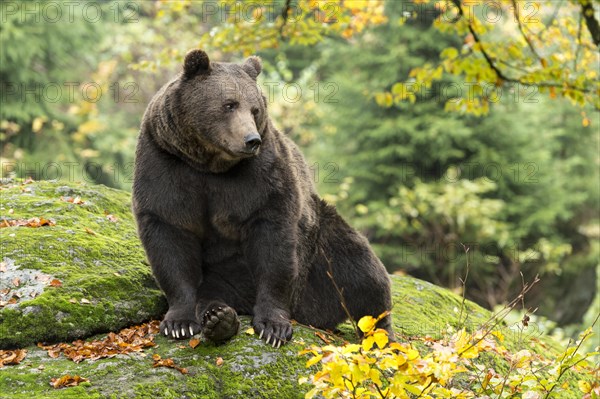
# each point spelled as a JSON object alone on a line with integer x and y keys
{"x": 363, "y": 284}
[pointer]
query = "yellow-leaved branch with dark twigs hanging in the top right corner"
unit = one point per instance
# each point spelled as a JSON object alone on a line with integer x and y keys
{"x": 543, "y": 45}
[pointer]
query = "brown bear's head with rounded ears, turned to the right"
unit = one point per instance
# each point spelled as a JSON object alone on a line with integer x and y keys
{"x": 219, "y": 112}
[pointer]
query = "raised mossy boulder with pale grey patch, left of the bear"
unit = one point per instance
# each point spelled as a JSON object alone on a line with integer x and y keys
{"x": 82, "y": 274}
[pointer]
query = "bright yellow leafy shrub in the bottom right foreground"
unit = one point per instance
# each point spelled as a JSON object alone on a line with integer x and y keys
{"x": 452, "y": 367}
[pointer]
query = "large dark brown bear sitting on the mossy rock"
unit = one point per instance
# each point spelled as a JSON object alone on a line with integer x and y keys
{"x": 230, "y": 220}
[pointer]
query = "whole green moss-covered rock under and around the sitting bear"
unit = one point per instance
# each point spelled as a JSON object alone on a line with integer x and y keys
{"x": 106, "y": 285}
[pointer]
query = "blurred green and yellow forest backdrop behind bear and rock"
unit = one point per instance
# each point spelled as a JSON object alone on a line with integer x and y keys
{"x": 390, "y": 103}
